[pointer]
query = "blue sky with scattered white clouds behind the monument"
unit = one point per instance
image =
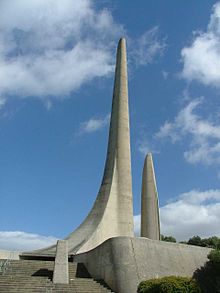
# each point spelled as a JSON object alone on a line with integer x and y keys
{"x": 56, "y": 78}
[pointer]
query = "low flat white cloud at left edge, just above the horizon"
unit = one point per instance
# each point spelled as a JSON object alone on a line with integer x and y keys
{"x": 21, "y": 241}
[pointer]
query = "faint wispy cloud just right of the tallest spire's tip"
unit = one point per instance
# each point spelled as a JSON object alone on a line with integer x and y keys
{"x": 148, "y": 46}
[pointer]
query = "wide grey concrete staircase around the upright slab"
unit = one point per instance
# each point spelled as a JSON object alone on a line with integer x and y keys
{"x": 29, "y": 276}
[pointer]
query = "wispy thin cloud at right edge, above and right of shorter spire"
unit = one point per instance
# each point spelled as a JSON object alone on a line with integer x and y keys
{"x": 204, "y": 134}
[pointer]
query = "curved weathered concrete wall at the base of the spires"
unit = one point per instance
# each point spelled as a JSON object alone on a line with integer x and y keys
{"x": 123, "y": 262}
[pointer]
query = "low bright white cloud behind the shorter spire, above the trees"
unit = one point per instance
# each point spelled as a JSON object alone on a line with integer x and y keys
{"x": 192, "y": 213}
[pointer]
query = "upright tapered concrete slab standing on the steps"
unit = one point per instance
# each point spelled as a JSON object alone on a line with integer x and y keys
{"x": 61, "y": 266}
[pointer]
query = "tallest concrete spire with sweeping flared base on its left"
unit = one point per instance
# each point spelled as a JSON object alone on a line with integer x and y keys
{"x": 112, "y": 212}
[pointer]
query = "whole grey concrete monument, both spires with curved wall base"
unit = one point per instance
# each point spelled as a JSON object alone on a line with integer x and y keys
{"x": 105, "y": 241}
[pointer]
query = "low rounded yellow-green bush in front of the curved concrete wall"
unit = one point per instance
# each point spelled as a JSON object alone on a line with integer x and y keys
{"x": 170, "y": 284}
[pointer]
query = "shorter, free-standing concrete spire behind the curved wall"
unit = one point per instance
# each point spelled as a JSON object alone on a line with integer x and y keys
{"x": 150, "y": 222}
